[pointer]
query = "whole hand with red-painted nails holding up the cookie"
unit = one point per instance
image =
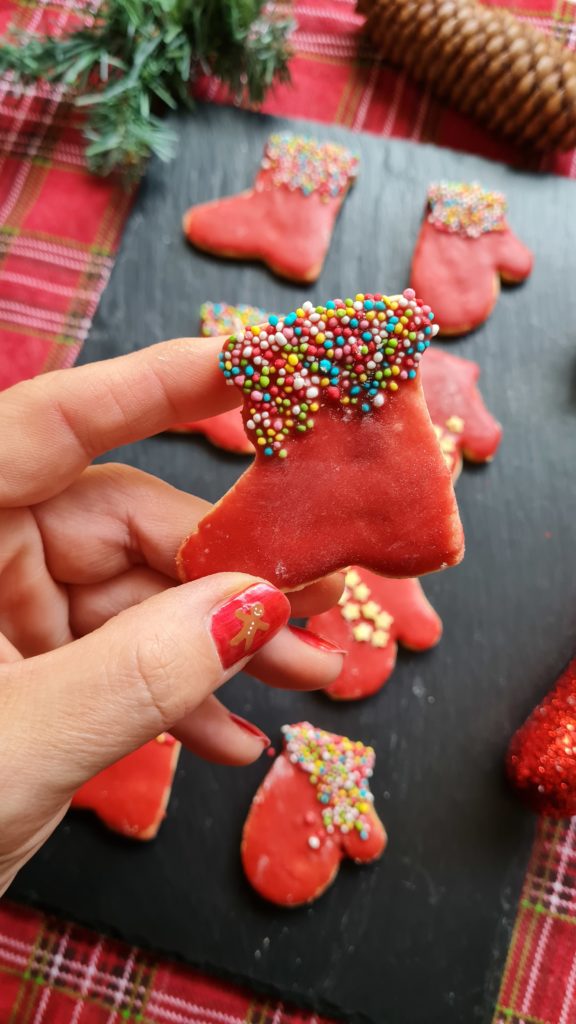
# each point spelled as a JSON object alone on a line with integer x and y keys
{"x": 101, "y": 652}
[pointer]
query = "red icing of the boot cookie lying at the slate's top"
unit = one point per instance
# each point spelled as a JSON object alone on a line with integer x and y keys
{"x": 257, "y": 225}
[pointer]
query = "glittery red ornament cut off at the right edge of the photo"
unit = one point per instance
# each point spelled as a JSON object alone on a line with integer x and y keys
{"x": 542, "y": 758}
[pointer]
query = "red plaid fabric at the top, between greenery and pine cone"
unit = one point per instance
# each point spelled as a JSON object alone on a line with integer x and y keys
{"x": 331, "y": 83}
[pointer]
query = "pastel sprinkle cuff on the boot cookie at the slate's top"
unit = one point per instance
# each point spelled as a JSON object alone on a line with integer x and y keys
{"x": 304, "y": 164}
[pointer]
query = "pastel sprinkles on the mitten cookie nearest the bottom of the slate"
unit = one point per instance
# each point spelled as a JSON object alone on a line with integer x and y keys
{"x": 340, "y": 770}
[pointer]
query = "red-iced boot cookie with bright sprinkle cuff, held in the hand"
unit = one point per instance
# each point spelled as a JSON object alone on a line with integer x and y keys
{"x": 348, "y": 468}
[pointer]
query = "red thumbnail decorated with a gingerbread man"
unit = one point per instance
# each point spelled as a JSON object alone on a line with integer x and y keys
{"x": 246, "y": 622}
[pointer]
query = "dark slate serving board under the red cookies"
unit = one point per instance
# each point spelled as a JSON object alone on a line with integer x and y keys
{"x": 421, "y": 938}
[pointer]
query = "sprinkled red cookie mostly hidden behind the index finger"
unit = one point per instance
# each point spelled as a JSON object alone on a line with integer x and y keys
{"x": 227, "y": 430}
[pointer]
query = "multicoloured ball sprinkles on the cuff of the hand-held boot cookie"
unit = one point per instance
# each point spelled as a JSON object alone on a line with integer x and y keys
{"x": 350, "y": 354}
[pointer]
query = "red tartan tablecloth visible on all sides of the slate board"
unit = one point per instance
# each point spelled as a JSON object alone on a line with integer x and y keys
{"x": 59, "y": 233}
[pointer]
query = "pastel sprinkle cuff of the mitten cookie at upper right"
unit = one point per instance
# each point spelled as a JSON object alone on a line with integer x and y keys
{"x": 466, "y": 209}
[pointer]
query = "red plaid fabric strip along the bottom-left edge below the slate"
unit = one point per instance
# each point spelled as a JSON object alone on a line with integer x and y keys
{"x": 53, "y": 973}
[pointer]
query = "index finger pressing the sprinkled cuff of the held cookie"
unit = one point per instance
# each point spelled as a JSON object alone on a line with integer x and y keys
{"x": 58, "y": 423}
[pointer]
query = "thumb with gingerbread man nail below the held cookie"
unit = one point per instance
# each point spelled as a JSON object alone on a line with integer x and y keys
{"x": 83, "y": 707}
